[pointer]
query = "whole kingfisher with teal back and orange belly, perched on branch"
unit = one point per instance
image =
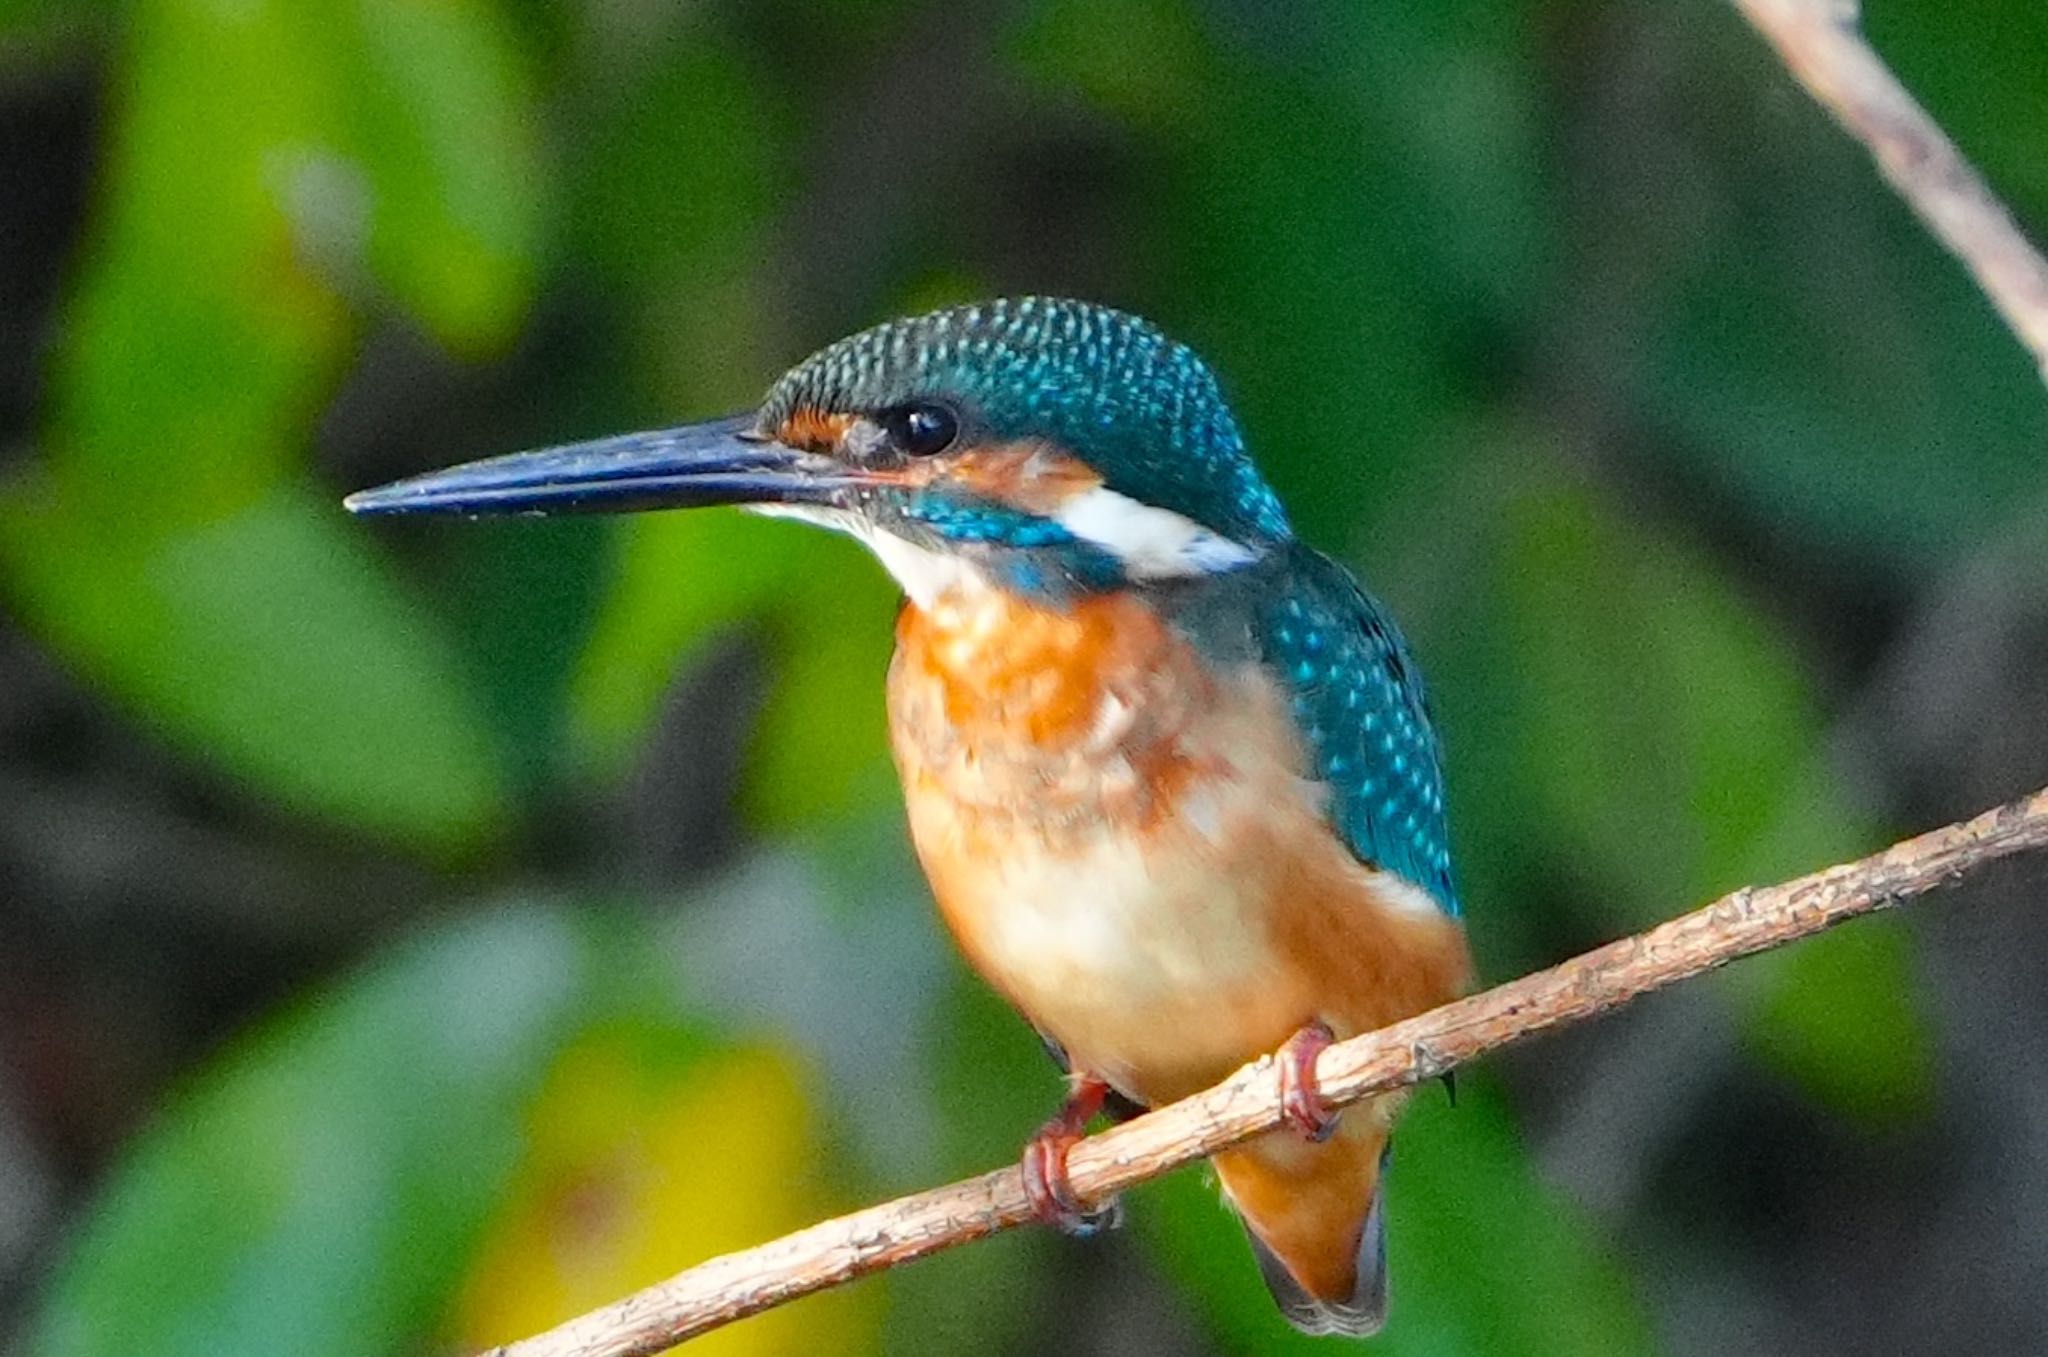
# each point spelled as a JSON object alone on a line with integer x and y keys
{"x": 1168, "y": 771}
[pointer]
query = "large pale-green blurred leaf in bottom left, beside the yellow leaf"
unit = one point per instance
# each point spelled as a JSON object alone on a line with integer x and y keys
{"x": 321, "y": 1188}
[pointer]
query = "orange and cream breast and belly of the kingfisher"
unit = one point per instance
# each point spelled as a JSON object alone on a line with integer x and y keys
{"x": 1123, "y": 842}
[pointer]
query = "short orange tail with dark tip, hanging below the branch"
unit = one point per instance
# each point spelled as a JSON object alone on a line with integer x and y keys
{"x": 1318, "y": 1223}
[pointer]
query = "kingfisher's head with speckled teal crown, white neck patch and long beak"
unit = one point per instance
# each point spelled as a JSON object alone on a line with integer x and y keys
{"x": 1048, "y": 447}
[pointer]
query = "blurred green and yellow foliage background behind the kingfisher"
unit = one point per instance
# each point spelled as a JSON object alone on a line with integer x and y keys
{"x": 413, "y": 934}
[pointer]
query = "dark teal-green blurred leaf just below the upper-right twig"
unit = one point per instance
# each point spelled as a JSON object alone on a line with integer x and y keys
{"x": 1897, "y": 445}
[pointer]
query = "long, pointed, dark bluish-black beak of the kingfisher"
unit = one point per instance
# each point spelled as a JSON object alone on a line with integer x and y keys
{"x": 724, "y": 462}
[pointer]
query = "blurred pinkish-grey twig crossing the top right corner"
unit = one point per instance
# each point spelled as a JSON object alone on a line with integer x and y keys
{"x": 1824, "y": 48}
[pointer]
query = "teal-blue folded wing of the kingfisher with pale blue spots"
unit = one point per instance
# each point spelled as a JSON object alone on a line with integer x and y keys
{"x": 1361, "y": 705}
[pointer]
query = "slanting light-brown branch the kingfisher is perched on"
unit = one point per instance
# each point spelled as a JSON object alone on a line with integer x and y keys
{"x": 1248, "y": 1102}
